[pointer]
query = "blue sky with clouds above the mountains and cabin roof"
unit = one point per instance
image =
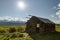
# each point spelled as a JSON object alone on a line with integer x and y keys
{"x": 42, "y": 8}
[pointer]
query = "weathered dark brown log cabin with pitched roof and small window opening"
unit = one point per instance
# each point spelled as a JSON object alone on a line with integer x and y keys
{"x": 39, "y": 25}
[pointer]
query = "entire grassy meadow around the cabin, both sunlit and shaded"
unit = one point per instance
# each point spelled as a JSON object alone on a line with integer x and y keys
{"x": 18, "y": 33}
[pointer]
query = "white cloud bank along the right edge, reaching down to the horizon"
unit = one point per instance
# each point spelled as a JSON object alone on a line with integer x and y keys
{"x": 57, "y": 14}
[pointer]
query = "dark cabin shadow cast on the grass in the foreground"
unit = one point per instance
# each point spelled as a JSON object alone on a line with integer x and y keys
{"x": 46, "y": 36}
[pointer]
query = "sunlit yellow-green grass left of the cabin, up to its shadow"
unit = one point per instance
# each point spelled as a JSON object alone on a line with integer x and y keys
{"x": 18, "y": 35}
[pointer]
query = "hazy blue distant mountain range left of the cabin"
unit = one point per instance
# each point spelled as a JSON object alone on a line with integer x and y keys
{"x": 4, "y": 22}
